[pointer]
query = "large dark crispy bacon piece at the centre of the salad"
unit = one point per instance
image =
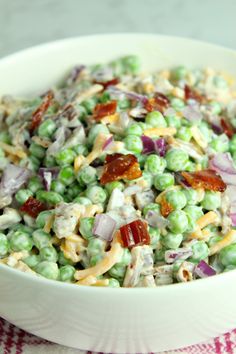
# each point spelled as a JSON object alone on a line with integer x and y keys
{"x": 119, "y": 166}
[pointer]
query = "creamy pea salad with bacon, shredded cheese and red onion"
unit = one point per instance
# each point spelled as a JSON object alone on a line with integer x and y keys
{"x": 121, "y": 178}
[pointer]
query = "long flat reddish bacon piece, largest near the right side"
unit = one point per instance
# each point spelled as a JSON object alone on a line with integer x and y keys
{"x": 206, "y": 179}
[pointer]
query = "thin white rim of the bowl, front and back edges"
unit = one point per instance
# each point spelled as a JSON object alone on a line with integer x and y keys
{"x": 49, "y": 282}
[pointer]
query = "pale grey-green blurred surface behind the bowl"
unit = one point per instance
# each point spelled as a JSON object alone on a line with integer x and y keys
{"x": 24, "y": 23}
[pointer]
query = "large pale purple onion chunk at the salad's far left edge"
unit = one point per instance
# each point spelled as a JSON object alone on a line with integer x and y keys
{"x": 13, "y": 178}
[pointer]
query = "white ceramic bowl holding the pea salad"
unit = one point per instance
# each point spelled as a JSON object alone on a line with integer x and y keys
{"x": 105, "y": 319}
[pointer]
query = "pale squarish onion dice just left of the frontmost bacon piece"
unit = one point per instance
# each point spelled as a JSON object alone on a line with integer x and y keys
{"x": 104, "y": 226}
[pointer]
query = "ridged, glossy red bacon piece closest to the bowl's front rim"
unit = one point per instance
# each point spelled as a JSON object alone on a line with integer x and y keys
{"x": 134, "y": 234}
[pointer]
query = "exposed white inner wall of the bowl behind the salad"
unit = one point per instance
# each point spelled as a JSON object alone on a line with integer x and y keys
{"x": 36, "y": 69}
